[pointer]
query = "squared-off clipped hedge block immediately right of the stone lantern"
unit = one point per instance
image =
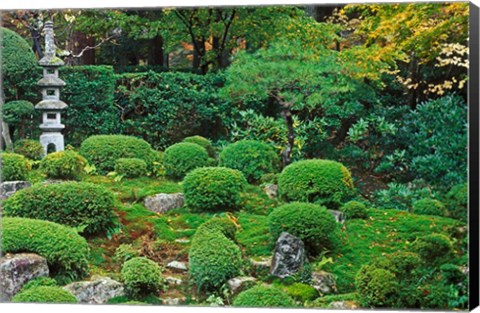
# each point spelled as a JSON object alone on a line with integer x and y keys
{"x": 89, "y": 93}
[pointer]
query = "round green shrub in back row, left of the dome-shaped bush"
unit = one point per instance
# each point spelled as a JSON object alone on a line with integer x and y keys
{"x": 182, "y": 158}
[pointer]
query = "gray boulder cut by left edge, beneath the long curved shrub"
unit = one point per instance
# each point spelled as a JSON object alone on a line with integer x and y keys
{"x": 18, "y": 269}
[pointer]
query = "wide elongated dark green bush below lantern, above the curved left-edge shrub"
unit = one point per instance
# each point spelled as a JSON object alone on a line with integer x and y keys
{"x": 74, "y": 204}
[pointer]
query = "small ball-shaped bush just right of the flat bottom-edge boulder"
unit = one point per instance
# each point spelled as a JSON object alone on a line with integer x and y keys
{"x": 142, "y": 277}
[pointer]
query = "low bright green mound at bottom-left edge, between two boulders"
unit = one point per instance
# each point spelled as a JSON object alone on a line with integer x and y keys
{"x": 44, "y": 294}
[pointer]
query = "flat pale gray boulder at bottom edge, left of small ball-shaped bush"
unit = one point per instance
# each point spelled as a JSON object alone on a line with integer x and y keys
{"x": 97, "y": 291}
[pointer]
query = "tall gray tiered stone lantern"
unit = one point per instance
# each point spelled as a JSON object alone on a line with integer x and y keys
{"x": 51, "y": 105}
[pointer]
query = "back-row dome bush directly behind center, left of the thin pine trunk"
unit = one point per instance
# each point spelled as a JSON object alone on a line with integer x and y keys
{"x": 253, "y": 158}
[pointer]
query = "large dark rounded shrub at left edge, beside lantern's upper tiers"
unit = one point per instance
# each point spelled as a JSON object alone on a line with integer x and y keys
{"x": 19, "y": 67}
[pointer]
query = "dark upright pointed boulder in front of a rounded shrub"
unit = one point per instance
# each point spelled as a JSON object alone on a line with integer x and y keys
{"x": 288, "y": 257}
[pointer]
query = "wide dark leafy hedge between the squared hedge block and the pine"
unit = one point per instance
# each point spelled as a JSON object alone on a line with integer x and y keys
{"x": 164, "y": 108}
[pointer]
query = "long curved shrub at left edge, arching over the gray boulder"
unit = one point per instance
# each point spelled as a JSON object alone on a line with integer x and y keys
{"x": 66, "y": 251}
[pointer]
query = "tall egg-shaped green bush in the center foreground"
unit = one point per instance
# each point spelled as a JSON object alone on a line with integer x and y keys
{"x": 213, "y": 258}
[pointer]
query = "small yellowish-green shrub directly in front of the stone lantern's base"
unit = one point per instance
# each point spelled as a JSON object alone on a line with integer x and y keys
{"x": 64, "y": 165}
